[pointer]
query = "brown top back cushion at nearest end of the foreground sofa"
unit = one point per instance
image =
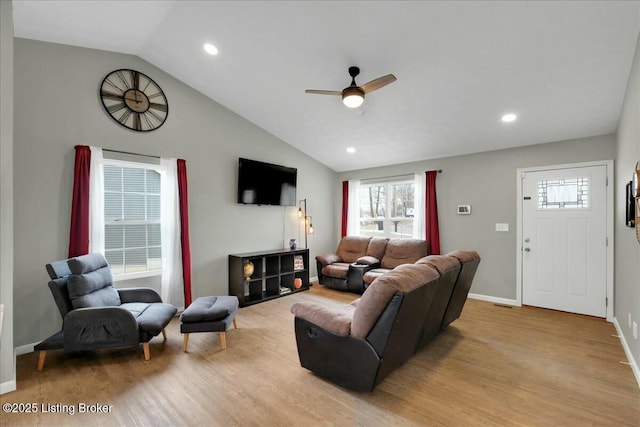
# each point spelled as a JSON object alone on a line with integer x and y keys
{"x": 404, "y": 278}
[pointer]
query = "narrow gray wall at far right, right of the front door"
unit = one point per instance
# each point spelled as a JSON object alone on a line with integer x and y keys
{"x": 627, "y": 269}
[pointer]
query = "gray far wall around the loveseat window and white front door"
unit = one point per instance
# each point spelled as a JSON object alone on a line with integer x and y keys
{"x": 487, "y": 181}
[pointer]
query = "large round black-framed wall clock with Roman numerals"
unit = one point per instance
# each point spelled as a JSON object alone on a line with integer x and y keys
{"x": 134, "y": 100}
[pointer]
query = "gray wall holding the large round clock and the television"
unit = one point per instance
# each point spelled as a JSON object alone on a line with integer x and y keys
{"x": 57, "y": 107}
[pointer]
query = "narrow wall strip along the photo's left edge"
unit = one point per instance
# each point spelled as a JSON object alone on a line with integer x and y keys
{"x": 7, "y": 359}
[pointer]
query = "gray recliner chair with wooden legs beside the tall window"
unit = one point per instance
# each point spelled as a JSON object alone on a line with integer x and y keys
{"x": 96, "y": 315}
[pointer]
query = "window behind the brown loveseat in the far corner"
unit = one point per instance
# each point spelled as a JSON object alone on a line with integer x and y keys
{"x": 387, "y": 209}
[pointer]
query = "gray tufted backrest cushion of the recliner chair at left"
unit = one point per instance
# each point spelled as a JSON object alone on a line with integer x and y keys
{"x": 91, "y": 283}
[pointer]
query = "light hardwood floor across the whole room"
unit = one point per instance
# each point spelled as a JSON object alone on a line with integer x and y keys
{"x": 493, "y": 366}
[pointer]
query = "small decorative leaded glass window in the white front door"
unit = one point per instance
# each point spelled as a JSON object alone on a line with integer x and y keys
{"x": 571, "y": 193}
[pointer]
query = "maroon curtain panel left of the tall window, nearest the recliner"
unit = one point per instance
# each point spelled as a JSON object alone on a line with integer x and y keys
{"x": 79, "y": 228}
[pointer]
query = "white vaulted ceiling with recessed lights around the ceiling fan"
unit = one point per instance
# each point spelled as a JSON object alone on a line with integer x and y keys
{"x": 561, "y": 66}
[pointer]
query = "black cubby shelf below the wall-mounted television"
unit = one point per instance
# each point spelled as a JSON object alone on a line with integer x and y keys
{"x": 274, "y": 274}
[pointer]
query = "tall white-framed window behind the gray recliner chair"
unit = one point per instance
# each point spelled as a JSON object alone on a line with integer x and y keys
{"x": 132, "y": 217}
